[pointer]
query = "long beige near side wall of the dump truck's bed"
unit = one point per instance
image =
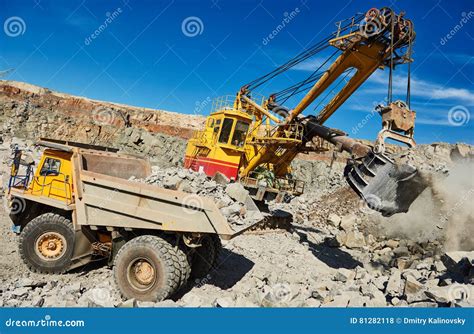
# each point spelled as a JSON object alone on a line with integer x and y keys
{"x": 111, "y": 201}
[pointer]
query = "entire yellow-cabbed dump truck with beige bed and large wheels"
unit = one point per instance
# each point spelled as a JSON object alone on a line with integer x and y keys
{"x": 79, "y": 205}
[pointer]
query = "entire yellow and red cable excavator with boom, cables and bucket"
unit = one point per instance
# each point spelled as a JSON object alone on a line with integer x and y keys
{"x": 254, "y": 140}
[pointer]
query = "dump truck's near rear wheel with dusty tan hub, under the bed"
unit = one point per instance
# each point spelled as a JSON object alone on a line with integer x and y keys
{"x": 147, "y": 268}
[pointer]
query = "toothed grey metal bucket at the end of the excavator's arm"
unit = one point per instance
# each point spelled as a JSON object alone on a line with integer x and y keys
{"x": 384, "y": 185}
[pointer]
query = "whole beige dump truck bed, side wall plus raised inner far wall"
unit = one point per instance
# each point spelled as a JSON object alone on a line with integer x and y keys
{"x": 106, "y": 197}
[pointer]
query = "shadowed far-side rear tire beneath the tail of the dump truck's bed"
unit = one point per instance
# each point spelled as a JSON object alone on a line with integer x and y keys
{"x": 205, "y": 257}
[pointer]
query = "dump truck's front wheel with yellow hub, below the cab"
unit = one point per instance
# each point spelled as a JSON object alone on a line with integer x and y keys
{"x": 47, "y": 244}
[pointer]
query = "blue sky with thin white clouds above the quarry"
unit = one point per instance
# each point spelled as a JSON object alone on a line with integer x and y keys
{"x": 143, "y": 56}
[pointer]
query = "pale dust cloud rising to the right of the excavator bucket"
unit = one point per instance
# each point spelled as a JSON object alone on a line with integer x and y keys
{"x": 444, "y": 211}
